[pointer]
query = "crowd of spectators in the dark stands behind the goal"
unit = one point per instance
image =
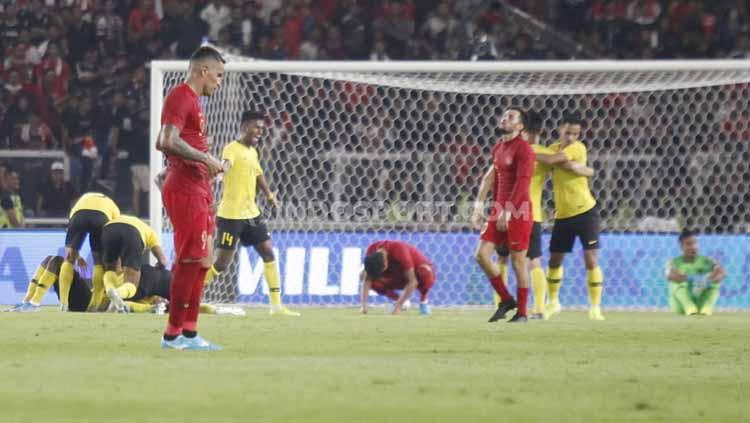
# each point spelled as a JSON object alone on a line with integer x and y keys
{"x": 74, "y": 71}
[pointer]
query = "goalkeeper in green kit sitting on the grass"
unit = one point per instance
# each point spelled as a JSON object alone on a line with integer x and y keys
{"x": 694, "y": 280}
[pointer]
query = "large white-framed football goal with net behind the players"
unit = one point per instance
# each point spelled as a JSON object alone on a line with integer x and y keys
{"x": 365, "y": 151}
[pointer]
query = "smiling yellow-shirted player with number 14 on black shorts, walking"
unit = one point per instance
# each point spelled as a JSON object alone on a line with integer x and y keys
{"x": 239, "y": 218}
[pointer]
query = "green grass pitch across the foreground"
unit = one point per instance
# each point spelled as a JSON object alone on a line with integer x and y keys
{"x": 334, "y": 365}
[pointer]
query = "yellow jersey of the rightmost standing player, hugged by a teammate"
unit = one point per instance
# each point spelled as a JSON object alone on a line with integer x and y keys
{"x": 571, "y": 191}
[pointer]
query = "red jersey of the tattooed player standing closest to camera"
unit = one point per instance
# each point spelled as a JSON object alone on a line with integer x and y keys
{"x": 183, "y": 110}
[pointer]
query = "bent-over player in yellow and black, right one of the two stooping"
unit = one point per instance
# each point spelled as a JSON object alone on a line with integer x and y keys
{"x": 125, "y": 239}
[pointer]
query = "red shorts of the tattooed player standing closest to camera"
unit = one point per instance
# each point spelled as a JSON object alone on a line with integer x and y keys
{"x": 193, "y": 223}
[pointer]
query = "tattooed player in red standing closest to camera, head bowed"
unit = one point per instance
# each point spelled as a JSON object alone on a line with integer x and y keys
{"x": 187, "y": 195}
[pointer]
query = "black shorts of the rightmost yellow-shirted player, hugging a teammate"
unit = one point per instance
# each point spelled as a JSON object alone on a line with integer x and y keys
{"x": 585, "y": 226}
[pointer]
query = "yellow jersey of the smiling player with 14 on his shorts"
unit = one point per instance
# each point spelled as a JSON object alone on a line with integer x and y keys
{"x": 238, "y": 199}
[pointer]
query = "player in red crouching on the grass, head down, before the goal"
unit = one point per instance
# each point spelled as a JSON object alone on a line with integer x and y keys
{"x": 392, "y": 265}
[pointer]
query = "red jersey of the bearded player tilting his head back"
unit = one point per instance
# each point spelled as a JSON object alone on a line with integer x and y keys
{"x": 514, "y": 163}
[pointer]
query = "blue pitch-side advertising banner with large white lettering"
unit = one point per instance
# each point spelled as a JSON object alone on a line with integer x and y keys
{"x": 323, "y": 268}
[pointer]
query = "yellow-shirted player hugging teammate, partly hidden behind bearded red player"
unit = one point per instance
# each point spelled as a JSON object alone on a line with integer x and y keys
{"x": 538, "y": 178}
